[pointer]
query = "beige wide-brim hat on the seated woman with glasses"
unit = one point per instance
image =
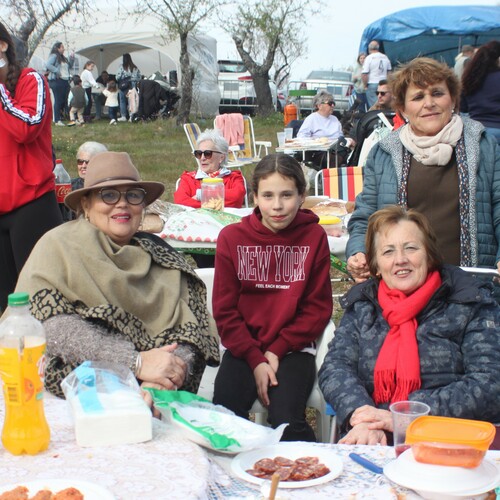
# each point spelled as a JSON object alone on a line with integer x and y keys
{"x": 109, "y": 169}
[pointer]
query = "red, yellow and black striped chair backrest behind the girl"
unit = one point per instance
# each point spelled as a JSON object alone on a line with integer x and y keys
{"x": 343, "y": 183}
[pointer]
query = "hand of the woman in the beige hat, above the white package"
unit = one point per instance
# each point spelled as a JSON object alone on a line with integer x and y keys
{"x": 160, "y": 366}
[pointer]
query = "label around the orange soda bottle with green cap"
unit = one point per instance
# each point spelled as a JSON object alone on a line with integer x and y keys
{"x": 22, "y": 375}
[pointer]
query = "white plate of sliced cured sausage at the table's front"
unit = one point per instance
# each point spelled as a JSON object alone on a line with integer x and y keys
{"x": 298, "y": 465}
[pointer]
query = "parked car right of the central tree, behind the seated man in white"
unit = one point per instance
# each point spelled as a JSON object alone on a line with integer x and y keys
{"x": 337, "y": 83}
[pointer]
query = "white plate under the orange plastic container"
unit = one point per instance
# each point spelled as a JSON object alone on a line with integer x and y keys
{"x": 457, "y": 482}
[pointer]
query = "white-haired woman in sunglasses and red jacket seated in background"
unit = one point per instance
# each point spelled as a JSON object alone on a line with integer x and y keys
{"x": 211, "y": 152}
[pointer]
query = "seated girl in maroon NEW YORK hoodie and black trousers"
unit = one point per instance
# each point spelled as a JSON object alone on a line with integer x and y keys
{"x": 272, "y": 299}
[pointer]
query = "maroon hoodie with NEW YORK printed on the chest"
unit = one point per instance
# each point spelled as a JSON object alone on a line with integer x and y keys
{"x": 272, "y": 291}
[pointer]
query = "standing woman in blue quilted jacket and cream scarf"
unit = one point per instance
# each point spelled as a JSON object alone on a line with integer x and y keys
{"x": 440, "y": 164}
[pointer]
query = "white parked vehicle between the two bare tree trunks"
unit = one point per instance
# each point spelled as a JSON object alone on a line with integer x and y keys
{"x": 237, "y": 90}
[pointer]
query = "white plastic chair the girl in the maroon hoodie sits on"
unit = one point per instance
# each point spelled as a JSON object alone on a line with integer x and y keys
{"x": 316, "y": 400}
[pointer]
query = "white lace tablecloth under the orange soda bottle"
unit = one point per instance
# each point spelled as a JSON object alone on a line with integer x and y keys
{"x": 166, "y": 467}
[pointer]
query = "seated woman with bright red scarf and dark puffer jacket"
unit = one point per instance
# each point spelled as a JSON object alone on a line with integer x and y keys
{"x": 418, "y": 330}
